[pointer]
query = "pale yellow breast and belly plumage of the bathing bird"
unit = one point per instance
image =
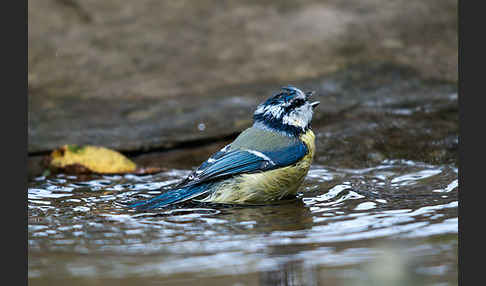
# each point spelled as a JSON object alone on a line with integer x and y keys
{"x": 267, "y": 186}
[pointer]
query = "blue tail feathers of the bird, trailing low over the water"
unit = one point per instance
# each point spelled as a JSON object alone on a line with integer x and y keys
{"x": 171, "y": 197}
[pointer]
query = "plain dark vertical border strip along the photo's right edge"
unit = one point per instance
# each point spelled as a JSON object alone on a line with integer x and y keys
{"x": 469, "y": 86}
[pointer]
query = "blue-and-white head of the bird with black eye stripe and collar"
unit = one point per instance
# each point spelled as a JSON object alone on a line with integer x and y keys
{"x": 289, "y": 111}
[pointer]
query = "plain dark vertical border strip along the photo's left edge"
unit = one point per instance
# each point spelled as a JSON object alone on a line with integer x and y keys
{"x": 15, "y": 134}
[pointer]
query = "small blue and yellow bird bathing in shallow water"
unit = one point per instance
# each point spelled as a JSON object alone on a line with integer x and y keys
{"x": 265, "y": 163}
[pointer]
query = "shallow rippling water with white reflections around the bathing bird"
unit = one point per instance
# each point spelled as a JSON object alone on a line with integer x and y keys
{"x": 393, "y": 224}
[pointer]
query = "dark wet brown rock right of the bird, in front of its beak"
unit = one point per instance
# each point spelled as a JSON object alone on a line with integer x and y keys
{"x": 386, "y": 112}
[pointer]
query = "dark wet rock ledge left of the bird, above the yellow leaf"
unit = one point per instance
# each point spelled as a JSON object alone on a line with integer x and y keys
{"x": 136, "y": 124}
